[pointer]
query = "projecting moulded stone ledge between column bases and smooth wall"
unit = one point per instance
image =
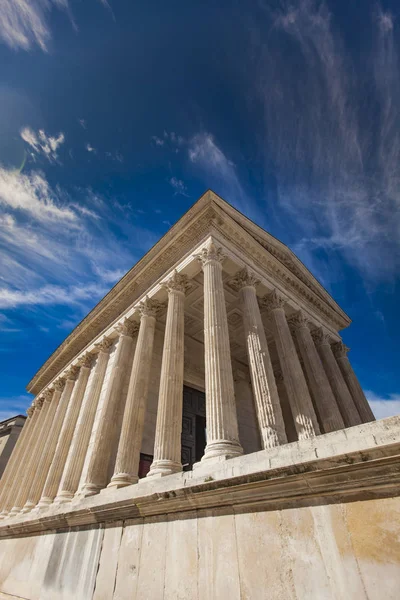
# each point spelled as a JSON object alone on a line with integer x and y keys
{"x": 342, "y": 466}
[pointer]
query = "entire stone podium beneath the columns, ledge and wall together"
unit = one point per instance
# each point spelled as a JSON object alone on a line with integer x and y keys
{"x": 318, "y": 519}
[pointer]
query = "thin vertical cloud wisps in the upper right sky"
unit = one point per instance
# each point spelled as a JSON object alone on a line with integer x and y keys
{"x": 335, "y": 155}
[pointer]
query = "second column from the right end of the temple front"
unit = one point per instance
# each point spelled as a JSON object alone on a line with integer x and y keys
{"x": 343, "y": 397}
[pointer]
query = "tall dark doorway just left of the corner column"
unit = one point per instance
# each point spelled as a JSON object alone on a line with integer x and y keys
{"x": 193, "y": 427}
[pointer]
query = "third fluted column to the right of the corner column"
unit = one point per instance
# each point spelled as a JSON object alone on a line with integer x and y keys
{"x": 325, "y": 402}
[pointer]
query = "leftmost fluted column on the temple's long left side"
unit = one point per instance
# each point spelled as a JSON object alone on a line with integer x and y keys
{"x": 10, "y": 476}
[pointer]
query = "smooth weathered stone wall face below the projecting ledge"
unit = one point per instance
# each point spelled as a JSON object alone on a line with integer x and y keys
{"x": 339, "y": 551}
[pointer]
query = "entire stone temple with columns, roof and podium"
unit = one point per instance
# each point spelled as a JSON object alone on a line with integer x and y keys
{"x": 202, "y": 434}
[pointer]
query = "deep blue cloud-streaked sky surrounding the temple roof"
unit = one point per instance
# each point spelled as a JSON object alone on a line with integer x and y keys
{"x": 116, "y": 116}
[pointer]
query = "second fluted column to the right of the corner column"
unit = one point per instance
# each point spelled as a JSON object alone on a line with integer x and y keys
{"x": 301, "y": 404}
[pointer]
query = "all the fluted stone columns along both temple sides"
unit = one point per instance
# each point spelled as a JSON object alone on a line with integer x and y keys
{"x": 38, "y": 473}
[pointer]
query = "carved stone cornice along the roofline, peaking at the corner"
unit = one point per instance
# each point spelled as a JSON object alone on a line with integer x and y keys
{"x": 210, "y": 212}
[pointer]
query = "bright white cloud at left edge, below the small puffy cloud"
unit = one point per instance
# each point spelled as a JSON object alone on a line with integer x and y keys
{"x": 31, "y": 194}
